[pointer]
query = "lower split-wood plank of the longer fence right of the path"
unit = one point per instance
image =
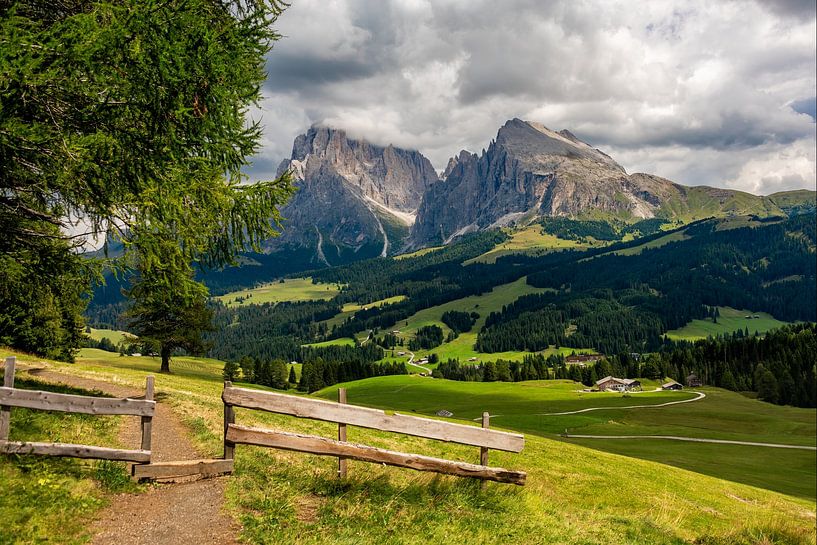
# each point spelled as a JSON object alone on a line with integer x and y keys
{"x": 329, "y": 447}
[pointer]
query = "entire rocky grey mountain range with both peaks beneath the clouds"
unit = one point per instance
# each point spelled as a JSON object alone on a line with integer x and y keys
{"x": 358, "y": 200}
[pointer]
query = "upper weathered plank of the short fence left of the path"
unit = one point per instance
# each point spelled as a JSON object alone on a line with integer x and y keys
{"x": 50, "y": 401}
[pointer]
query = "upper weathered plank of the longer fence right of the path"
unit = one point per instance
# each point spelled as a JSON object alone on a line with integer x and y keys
{"x": 372, "y": 418}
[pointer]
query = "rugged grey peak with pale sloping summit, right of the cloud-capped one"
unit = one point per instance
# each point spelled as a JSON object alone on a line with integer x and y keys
{"x": 531, "y": 171}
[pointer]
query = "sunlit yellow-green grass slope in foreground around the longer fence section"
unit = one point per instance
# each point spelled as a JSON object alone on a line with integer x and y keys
{"x": 574, "y": 494}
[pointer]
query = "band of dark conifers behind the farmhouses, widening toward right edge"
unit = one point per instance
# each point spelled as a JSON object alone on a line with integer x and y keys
{"x": 778, "y": 366}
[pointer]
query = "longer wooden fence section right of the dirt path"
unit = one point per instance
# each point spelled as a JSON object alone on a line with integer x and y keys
{"x": 350, "y": 415}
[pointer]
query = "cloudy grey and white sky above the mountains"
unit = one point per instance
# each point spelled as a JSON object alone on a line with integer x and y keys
{"x": 700, "y": 92}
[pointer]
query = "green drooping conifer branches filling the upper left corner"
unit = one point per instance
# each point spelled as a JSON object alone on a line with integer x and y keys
{"x": 131, "y": 117}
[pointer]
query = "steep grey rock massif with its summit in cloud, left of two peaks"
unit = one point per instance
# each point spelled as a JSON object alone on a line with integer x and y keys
{"x": 355, "y": 200}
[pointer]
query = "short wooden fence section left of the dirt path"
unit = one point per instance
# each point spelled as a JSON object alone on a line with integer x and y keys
{"x": 48, "y": 401}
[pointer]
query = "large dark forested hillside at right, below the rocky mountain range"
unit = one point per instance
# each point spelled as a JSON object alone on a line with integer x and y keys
{"x": 627, "y": 302}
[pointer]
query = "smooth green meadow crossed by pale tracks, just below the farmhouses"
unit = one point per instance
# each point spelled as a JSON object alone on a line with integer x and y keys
{"x": 720, "y": 415}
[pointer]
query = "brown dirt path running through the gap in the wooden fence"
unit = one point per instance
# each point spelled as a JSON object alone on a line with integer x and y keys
{"x": 185, "y": 514}
